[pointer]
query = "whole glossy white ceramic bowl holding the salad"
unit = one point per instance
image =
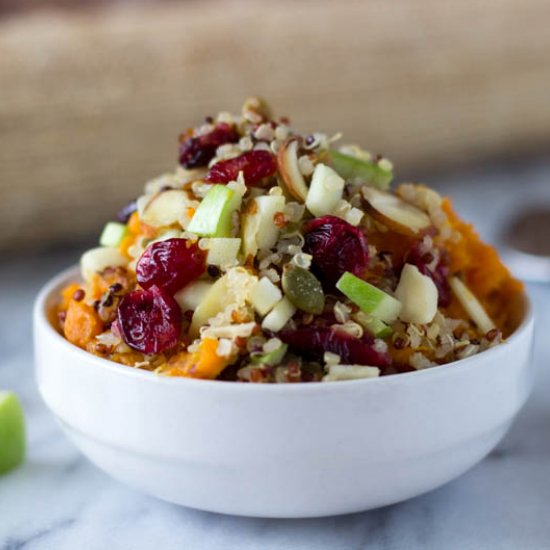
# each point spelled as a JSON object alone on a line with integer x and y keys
{"x": 299, "y": 450}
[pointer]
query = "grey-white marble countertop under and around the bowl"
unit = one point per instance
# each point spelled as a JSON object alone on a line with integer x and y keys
{"x": 58, "y": 500}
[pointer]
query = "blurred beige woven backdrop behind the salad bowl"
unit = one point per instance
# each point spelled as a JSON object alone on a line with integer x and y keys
{"x": 94, "y": 93}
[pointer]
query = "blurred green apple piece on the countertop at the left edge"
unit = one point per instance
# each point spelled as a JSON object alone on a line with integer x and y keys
{"x": 12, "y": 432}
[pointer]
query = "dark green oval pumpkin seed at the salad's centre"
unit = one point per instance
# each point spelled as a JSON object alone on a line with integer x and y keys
{"x": 303, "y": 289}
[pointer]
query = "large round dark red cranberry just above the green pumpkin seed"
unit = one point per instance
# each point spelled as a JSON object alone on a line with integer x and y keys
{"x": 336, "y": 247}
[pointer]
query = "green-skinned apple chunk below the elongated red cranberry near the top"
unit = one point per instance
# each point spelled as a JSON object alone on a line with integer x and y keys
{"x": 214, "y": 216}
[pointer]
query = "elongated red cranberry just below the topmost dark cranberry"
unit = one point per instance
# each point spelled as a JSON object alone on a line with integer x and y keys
{"x": 255, "y": 166}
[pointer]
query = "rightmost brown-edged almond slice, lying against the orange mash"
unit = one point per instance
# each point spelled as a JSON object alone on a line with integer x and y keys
{"x": 398, "y": 215}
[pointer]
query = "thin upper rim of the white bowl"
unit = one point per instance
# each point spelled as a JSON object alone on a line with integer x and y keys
{"x": 460, "y": 367}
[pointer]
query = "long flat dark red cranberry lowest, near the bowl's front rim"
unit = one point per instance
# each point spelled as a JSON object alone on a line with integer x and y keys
{"x": 312, "y": 342}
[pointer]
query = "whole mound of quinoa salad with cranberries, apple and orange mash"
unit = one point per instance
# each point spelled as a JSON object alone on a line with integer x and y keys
{"x": 273, "y": 256}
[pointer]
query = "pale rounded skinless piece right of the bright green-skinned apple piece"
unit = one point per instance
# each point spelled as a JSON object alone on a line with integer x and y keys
{"x": 418, "y": 296}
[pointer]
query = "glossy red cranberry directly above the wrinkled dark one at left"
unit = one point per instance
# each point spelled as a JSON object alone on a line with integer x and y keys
{"x": 170, "y": 264}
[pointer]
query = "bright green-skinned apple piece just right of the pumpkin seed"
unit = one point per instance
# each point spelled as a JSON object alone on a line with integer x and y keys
{"x": 370, "y": 299}
